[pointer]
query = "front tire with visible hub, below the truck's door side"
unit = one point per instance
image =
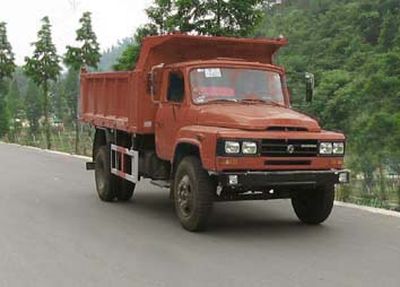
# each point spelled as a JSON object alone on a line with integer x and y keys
{"x": 193, "y": 194}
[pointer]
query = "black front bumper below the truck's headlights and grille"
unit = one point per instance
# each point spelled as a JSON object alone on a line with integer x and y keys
{"x": 273, "y": 179}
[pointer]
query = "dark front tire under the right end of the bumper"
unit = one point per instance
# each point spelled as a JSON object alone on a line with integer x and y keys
{"x": 314, "y": 207}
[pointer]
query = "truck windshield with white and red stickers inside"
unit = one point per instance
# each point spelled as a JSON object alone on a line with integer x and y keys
{"x": 235, "y": 85}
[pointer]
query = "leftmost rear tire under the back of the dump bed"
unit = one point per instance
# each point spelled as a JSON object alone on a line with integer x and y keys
{"x": 106, "y": 182}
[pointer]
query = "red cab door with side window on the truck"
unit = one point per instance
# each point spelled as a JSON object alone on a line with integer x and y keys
{"x": 170, "y": 115}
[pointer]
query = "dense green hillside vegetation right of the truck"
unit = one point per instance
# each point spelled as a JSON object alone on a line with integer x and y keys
{"x": 353, "y": 48}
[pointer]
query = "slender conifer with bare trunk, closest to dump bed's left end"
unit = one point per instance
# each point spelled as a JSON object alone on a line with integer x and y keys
{"x": 87, "y": 55}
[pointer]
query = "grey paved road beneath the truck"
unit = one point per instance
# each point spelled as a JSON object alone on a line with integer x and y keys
{"x": 55, "y": 232}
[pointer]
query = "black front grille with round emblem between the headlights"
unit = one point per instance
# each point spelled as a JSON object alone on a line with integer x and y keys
{"x": 289, "y": 148}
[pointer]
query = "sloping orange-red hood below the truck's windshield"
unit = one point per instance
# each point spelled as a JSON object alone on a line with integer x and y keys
{"x": 254, "y": 117}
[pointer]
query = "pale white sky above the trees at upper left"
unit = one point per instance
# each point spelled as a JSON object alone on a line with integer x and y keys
{"x": 112, "y": 21}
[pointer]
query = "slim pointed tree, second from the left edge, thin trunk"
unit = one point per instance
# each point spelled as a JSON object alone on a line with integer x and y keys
{"x": 43, "y": 68}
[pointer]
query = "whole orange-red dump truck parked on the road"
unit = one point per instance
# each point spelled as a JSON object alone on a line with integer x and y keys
{"x": 210, "y": 119}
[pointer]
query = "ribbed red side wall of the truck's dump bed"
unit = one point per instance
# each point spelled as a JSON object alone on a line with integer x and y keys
{"x": 112, "y": 100}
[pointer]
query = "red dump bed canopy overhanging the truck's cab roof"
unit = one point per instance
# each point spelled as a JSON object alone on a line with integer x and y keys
{"x": 176, "y": 48}
